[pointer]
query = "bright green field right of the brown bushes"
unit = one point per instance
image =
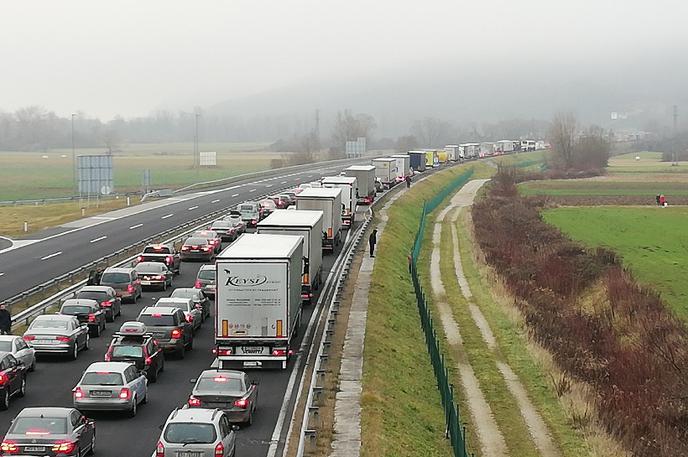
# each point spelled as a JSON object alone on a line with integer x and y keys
{"x": 653, "y": 242}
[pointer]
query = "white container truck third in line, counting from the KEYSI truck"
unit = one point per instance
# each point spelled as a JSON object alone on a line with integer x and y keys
{"x": 329, "y": 201}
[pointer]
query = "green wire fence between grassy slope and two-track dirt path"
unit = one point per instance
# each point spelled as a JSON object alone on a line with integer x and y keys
{"x": 455, "y": 431}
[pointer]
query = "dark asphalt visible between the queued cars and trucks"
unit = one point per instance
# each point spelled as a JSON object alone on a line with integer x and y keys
{"x": 117, "y": 435}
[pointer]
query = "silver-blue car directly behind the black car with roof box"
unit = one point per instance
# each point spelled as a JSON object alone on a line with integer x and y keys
{"x": 111, "y": 386}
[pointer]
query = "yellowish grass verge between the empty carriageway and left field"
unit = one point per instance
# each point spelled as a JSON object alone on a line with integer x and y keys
{"x": 40, "y": 217}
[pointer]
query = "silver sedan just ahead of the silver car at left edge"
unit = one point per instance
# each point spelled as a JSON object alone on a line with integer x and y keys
{"x": 57, "y": 334}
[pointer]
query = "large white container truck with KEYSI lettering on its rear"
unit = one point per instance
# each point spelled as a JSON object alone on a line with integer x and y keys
{"x": 258, "y": 301}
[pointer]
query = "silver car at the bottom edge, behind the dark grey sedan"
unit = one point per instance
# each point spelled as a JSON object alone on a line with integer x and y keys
{"x": 197, "y": 432}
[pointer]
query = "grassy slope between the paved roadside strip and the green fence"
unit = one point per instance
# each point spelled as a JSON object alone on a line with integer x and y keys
{"x": 402, "y": 413}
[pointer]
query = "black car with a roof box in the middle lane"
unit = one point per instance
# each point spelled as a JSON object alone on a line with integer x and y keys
{"x": 134, "y": 343}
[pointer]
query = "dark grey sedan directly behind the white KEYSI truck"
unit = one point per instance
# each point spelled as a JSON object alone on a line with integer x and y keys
{"x": 226, "y": 390}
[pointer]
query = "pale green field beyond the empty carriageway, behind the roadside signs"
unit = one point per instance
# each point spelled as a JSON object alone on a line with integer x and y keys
{"x": 27, "y": 175}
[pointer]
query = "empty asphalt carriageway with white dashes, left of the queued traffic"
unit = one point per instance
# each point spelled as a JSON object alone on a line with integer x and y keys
{"x": 63, "y": 249}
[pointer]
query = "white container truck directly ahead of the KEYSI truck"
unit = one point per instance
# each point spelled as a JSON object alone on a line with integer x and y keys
{"x": 307, "y": 224}
